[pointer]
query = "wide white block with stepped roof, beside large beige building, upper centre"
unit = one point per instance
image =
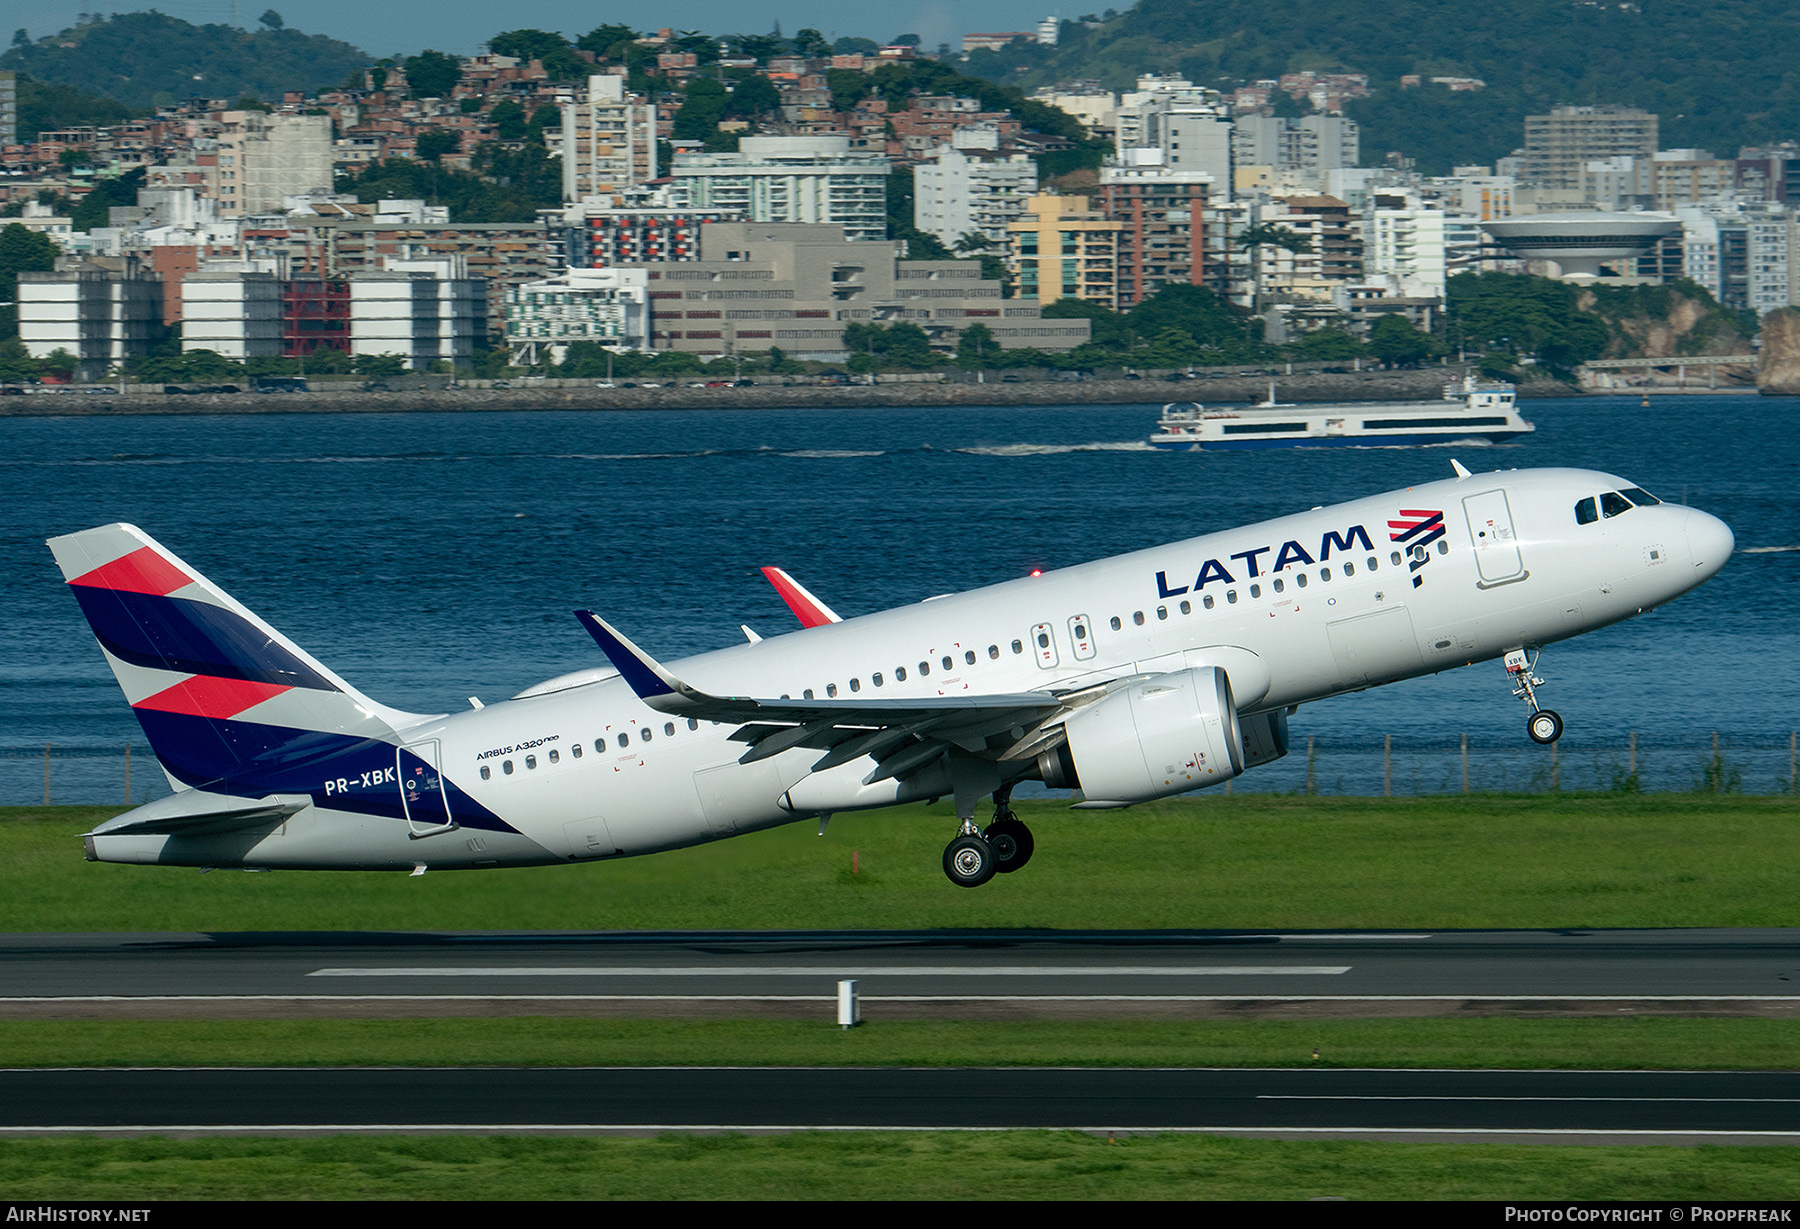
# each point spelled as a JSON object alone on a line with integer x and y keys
{"x": 789, "y": 179}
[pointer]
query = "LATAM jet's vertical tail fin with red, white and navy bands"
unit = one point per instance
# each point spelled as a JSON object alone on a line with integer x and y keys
{"x": 228, "y": 703}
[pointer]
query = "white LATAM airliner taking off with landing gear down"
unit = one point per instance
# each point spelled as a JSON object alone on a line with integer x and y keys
{"x": 1126, "y": 679}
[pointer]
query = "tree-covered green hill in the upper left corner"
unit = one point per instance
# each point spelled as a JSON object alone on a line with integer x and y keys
{"x": 150, "y": 60}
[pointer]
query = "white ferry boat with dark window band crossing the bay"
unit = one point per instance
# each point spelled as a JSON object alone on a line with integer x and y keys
{"x": 1470, "y": 413}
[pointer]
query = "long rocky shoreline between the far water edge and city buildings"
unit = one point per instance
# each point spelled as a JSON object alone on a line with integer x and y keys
{"x": 1302, "y": 388}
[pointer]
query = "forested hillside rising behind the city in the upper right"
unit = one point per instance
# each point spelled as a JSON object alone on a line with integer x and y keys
{"x": 1718, "y": 73}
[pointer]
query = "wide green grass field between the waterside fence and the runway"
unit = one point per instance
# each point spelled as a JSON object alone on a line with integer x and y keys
{"x": 1218, "y": 863}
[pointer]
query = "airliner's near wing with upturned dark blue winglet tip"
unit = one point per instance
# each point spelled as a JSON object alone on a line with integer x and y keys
{"x": 903, "y": 735}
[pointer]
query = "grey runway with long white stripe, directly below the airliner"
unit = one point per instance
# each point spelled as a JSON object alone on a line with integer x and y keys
{"x": 1048, "y": 973}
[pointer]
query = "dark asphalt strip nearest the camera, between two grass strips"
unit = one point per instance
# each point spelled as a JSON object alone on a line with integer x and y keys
{"x": 1534, "y": 1106}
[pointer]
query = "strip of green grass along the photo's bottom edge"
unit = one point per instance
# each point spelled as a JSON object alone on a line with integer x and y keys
{"x": 876, "y": 1165}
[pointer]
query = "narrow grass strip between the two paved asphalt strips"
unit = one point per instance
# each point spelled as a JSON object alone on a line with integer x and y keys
{"x": 1588, "y": 1045}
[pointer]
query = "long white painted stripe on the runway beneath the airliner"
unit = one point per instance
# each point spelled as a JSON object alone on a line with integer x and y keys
{"x": 838, "y": 971}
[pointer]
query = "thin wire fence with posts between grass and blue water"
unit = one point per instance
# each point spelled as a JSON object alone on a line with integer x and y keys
{"x": 1369, "y": 767}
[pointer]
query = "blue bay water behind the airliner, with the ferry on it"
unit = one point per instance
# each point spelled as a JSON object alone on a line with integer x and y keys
{"x": 436, "y": 557}
